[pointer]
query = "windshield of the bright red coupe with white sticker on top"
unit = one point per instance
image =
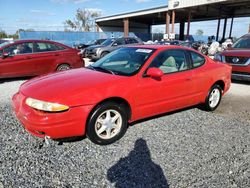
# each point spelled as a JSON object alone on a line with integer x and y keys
{"x": 124, "y": 61}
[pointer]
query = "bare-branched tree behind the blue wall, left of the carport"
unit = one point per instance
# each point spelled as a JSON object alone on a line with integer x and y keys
{"x": 83, "y": 21}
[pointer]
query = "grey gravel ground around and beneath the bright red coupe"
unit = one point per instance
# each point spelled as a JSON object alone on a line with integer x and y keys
{"x": 190, "y": 148}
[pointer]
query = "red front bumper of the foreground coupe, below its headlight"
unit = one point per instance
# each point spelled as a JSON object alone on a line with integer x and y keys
{"x": 70, "y": 123}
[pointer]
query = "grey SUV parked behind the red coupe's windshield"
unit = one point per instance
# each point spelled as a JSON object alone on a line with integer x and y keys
{"x": 97, "y": 51}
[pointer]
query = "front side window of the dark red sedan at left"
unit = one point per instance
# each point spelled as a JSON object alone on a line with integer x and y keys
{"x": 20, "y": 48}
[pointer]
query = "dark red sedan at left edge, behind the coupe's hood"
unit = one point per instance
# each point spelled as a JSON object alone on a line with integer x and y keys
{"x": 35, "y": 57}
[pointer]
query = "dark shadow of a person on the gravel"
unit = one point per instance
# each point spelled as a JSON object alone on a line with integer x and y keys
{"x": 137, "y": 169}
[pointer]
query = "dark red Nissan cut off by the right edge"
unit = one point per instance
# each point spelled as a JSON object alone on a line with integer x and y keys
{"x": 238, "y": 56}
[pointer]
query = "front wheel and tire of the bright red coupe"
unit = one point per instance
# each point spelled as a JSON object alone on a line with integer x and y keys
{"x": 103, "y": 130}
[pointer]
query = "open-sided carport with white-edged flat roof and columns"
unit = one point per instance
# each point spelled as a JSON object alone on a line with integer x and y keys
{"x": 177, "y": 11}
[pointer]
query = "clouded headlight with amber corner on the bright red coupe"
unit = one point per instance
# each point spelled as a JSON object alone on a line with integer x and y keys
{"x": 45, "y": 106}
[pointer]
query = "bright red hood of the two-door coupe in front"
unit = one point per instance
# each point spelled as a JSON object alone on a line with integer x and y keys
{"x": 73, "y": 88}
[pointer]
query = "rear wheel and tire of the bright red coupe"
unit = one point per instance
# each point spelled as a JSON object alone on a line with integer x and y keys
{"x": 213, "y": 98}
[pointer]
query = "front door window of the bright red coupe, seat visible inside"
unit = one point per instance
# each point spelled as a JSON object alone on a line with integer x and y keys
{"x": 170, "y": 61}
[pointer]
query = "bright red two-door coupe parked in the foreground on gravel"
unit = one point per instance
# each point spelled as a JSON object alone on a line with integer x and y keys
{"x": 128, "y": 84}
